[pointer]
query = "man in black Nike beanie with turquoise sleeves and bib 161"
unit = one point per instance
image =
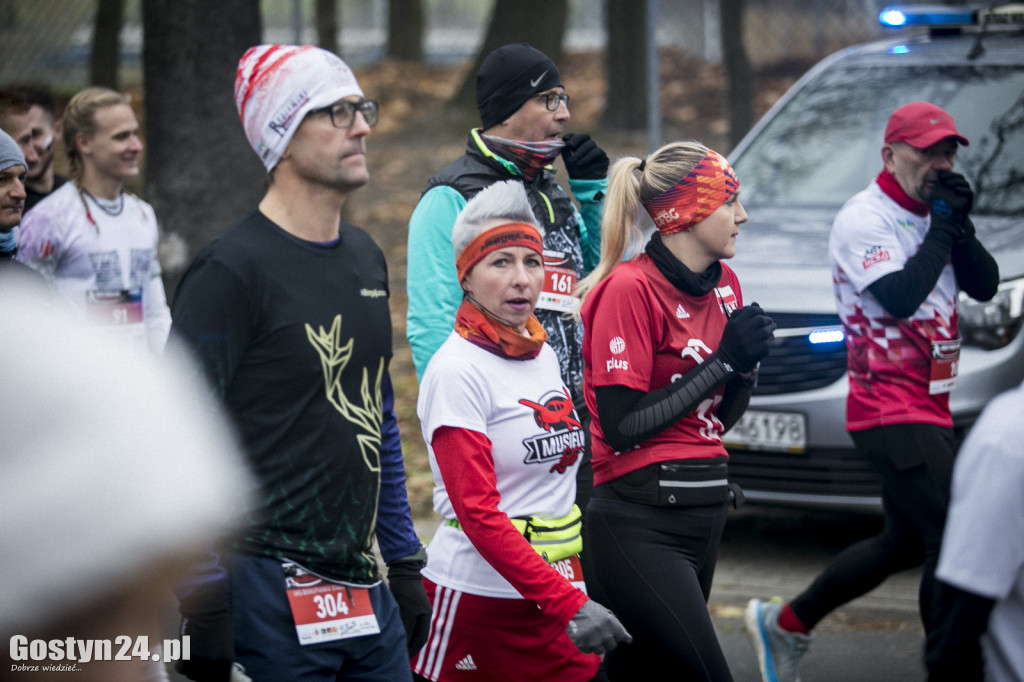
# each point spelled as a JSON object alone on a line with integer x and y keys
{"x": 524, "y": 110}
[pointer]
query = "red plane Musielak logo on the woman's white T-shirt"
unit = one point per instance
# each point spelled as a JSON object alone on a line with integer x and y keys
{"x": 563, "y": 440}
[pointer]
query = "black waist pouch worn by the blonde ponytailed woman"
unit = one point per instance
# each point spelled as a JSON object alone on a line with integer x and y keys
{"x": 676, "y": 484}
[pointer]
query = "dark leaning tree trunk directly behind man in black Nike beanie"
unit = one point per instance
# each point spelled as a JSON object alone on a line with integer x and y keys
{"x": 516, "y": 22}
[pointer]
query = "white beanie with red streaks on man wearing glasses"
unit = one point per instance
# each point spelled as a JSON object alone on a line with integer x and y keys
{"x": 277, "y": 86}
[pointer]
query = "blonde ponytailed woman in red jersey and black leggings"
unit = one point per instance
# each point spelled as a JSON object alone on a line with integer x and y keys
{"x": 670, "y": 353}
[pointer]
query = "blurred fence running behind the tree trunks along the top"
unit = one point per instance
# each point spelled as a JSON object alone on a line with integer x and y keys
{"x": 51, "y": 40}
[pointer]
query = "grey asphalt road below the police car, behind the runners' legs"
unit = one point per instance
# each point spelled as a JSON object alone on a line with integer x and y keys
{"x": 770, "y": 552}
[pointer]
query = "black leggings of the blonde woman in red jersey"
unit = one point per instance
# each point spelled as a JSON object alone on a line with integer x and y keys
{"x": 653, "y": 567}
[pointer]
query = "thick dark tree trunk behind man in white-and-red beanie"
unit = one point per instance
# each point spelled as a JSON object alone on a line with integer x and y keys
{"x": 201, "y": 175}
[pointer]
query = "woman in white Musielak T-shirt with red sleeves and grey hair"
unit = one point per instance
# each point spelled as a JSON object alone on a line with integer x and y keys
{"x": 503, "y": 574}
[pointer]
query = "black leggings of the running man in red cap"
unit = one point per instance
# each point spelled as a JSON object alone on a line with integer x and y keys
{"x": 915, "y": 462}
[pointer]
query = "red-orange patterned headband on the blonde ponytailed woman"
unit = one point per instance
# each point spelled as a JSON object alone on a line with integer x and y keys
{"x": 696, "y": 197}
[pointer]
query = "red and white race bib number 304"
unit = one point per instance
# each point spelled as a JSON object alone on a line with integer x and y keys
{"x": 326, "y": 612}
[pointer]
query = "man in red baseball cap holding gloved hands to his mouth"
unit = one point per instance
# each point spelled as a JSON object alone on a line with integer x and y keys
{"x": 902, "y": 251}
